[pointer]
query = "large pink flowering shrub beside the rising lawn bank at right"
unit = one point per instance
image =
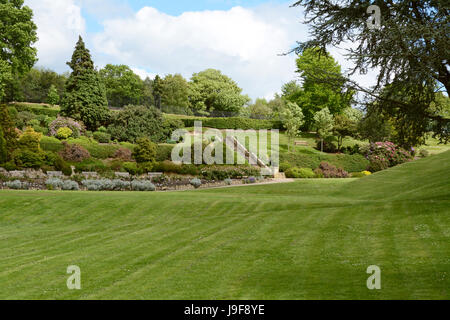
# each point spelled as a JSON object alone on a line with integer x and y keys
{"x": 383, "y": 155}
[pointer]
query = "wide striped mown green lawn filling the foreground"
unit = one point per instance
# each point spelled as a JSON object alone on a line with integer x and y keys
{"x": 311, "y": 239}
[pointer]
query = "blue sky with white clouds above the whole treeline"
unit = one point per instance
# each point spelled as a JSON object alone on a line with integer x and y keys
{"x": 243, "y": 39}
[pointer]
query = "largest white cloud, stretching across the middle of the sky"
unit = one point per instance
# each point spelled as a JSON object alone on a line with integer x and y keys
{"x": 244, "y": 43}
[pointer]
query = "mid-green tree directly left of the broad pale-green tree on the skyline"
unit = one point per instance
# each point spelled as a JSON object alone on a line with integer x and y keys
{"x": 175, "y": 92}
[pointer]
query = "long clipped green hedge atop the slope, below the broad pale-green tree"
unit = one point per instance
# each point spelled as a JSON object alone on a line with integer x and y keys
{"x": 229, "y": 123}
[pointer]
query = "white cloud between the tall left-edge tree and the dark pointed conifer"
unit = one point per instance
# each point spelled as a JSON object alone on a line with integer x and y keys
{"x": 59, "y": 24}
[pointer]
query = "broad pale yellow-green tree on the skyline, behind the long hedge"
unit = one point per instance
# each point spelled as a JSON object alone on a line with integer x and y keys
{"x": 213, "y": 92}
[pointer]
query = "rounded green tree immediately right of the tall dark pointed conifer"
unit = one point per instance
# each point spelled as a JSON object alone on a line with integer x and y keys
{"x": 123, "y": 86}
